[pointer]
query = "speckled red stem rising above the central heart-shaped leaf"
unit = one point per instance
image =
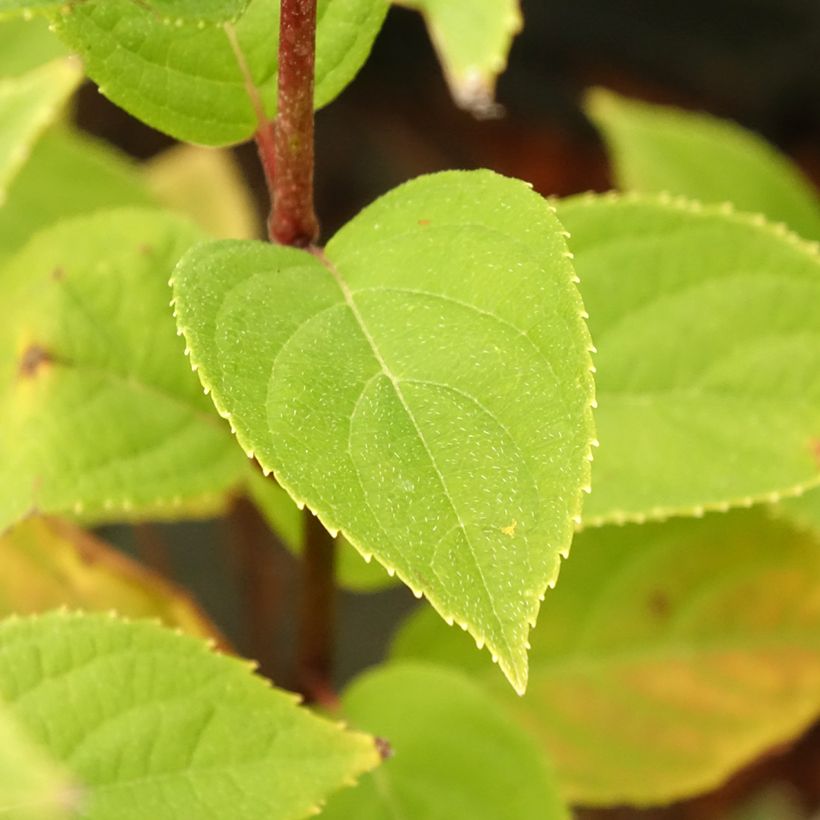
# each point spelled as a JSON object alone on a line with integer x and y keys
{"x": 293, "y": 219}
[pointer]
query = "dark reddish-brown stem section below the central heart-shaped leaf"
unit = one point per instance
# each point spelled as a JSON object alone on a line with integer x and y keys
{"x": 317, "y": 615}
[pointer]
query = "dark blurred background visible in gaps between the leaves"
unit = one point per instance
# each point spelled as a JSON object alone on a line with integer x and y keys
{"x": 755, "y": 61}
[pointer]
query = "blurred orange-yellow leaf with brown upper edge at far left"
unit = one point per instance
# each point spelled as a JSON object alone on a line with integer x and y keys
{"x": 48, "y": 563}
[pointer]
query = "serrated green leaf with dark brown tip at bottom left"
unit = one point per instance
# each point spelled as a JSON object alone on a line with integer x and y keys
{"x": 153, "y": 724}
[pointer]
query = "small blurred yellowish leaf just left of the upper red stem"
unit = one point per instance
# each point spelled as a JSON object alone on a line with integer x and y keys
{"x": 207, "y": 185}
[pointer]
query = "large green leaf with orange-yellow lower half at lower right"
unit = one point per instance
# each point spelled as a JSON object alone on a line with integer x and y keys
{"x": 669, "y": 656}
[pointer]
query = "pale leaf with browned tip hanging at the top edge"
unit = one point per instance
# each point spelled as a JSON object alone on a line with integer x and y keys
{"x": 472, "y": 40}
